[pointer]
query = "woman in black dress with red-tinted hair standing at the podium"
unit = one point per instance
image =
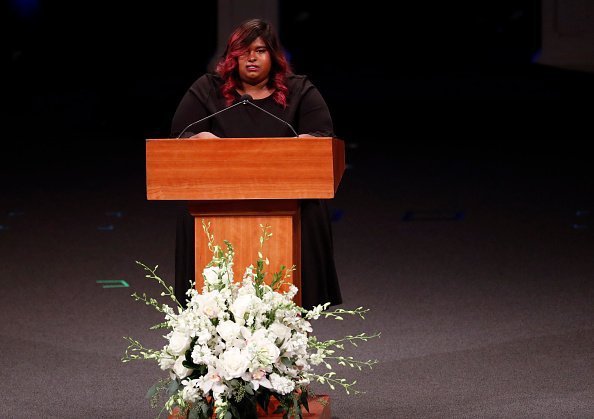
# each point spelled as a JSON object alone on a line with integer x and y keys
{"x": 253, "y": 93}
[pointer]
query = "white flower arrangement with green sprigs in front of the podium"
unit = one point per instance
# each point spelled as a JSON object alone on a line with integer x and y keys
{"x": 238, "y": 344}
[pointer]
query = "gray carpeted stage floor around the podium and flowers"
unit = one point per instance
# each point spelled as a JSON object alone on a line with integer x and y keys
{"x": 477, "y": 272}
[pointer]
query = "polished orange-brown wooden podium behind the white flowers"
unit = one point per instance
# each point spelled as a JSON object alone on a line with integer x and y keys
{"x": 237, "y": 184}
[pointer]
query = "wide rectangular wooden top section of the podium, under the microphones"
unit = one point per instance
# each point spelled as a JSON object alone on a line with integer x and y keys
{"x": 243, "y": 168}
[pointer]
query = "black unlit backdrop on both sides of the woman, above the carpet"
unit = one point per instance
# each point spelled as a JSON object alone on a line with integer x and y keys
{"x": 427, "y": 78}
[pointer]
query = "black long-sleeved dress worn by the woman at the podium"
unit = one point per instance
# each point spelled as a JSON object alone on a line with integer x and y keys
{"x": 307, "y": 113}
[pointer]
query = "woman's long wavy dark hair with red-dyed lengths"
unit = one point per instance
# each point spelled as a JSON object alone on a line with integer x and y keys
{"x": 237, "y": 45}
